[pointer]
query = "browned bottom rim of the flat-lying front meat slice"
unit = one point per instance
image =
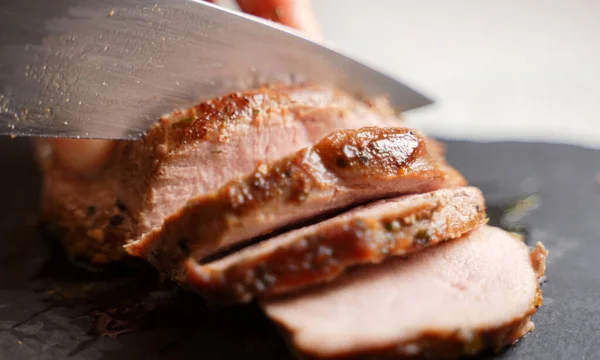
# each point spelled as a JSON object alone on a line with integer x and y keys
{"x": 445, "y": 345}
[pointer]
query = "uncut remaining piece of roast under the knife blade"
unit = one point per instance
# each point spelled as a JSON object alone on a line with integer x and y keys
{"x": 187, "y": 153}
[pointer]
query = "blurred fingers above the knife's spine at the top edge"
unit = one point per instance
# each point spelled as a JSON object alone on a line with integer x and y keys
{"x": 294, "y": 13}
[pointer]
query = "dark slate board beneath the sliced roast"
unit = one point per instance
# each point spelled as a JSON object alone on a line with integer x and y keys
{"x": 51, "y": 308}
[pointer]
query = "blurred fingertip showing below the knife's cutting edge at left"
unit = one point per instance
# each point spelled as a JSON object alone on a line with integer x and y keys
{"x": 82, "y": 156}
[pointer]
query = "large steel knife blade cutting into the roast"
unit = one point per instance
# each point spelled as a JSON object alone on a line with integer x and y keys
{"x": 110, "y": 68}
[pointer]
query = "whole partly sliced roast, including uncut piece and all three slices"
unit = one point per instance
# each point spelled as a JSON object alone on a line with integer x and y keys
{"x": 351, "y": 231}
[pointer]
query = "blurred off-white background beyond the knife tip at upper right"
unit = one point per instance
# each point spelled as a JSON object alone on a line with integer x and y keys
{"x": 497, "y": 69}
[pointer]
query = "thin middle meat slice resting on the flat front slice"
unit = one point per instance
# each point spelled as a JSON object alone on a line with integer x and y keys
{"x": 321, "y": 252}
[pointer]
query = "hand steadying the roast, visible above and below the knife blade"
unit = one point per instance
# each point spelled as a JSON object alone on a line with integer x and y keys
{"x": 87, "y": 156}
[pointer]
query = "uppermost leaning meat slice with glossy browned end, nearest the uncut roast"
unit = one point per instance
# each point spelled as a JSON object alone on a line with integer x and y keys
{"x": 345, "y": 168}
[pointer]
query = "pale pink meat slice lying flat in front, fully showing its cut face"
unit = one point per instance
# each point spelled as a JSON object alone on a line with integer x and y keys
{"x": 458, "y": 298}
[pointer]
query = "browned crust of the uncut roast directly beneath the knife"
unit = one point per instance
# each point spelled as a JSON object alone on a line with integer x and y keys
{"x": 98, "y": 235}
